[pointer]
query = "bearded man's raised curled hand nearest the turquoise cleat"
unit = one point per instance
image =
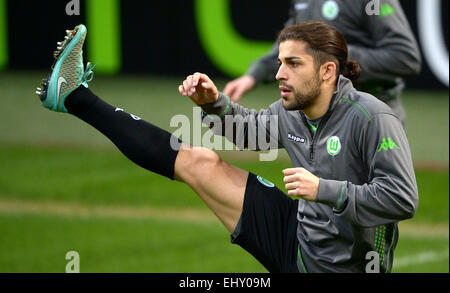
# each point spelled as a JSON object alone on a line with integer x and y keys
{"x": 200, "y": 88}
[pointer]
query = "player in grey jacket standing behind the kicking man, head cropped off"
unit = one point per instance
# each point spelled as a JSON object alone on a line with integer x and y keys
{"x": 382, "y": 43}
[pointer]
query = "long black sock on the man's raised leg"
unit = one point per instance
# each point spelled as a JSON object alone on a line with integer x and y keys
{"x": 143, "y": 143}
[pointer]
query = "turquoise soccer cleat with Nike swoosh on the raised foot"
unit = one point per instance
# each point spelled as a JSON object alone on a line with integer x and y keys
{"x": 67, "y": 72}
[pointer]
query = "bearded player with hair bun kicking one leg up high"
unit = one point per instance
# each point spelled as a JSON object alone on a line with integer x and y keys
{"x": 353, "y": 180}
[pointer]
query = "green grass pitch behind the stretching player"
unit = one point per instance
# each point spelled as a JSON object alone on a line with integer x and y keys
{"x": 64, "y": 187}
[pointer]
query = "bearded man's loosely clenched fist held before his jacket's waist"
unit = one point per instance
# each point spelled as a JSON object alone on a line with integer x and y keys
{"x": 301, "y": 183}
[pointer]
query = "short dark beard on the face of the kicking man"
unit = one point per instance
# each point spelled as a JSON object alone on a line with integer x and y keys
{"x": 304, "y": 96}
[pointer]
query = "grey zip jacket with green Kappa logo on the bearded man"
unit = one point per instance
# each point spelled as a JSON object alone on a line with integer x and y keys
{"x": 361, "y": 154}
